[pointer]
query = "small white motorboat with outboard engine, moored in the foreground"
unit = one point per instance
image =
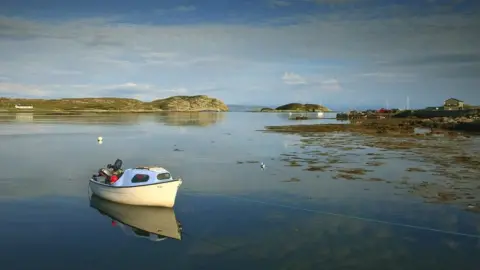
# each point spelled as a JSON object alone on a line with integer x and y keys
{"x": 148, "y": 186}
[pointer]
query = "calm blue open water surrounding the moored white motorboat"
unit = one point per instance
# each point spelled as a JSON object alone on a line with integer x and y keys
{"x": 233, "y": 216}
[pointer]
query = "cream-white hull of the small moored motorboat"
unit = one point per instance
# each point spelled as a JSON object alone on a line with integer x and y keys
{"x": 159, "y": 194}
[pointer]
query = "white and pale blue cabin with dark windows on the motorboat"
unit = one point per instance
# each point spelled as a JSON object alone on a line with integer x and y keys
{"x": 143, "y": 176}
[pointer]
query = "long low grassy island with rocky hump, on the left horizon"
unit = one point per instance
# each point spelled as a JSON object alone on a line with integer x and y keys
{"x": 196, "y": 103}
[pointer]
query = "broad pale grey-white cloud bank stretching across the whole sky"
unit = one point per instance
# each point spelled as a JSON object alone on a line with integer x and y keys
{"x": 103, "y": 52}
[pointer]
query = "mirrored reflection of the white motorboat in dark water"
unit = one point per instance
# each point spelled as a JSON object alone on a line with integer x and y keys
{"x": 153, "y": 223}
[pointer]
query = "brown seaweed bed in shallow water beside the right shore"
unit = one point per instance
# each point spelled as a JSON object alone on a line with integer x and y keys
{"x": 451, "y": 159}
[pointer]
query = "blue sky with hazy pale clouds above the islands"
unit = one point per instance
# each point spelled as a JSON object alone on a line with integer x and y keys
{"x": 341, "y": 53}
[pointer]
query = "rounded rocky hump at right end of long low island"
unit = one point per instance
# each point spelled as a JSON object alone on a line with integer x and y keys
{"x": 190, "y": 103}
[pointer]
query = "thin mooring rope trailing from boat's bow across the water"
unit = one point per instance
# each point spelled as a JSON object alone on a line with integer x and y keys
{"x": 341, "y": 215}
